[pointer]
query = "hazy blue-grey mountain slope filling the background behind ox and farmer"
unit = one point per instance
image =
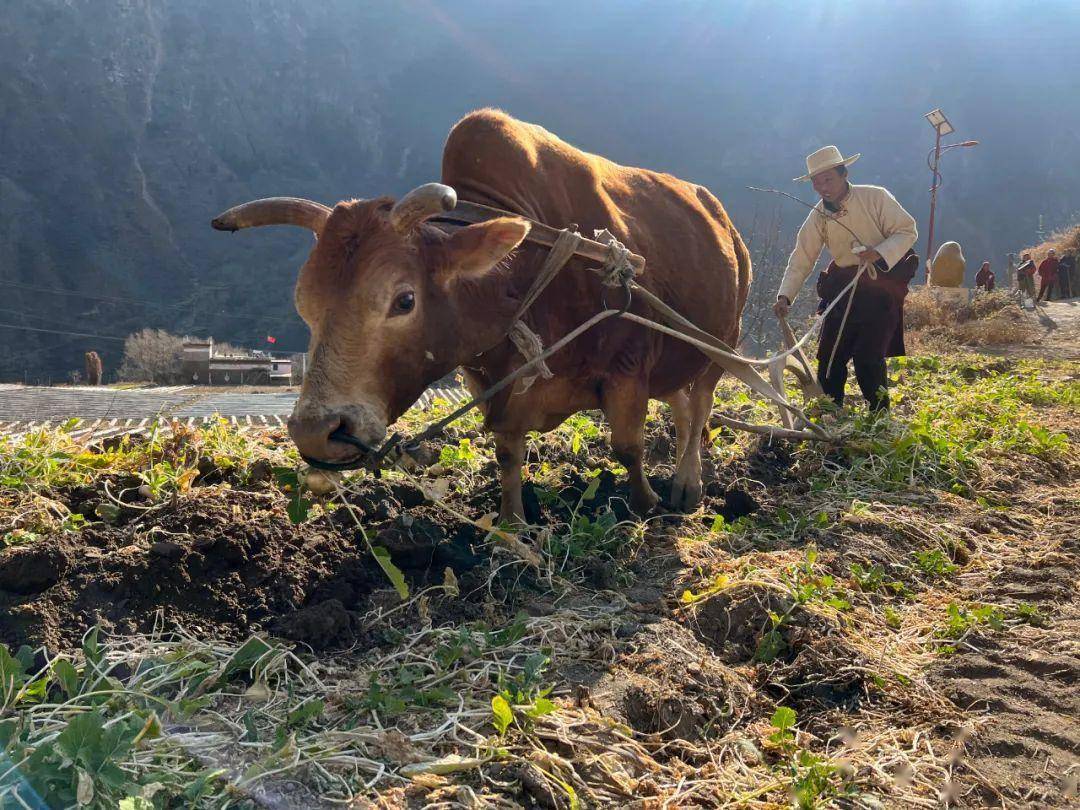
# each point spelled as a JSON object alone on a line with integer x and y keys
{"x": 129, "y": 124}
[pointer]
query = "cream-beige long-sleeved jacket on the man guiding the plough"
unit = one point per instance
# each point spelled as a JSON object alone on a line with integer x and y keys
{"x": 879, "y": 221}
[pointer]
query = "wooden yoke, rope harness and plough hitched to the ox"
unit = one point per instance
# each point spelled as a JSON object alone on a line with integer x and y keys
{"x": 619, "y": 268}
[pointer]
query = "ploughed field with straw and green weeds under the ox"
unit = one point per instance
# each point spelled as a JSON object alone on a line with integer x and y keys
{"x": 892, "y": 623}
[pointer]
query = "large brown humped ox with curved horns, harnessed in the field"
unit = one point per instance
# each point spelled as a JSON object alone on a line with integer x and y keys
{"x": 395, "y": 305}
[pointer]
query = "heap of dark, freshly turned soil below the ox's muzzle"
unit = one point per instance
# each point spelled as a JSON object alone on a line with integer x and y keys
{"x": 233, "y": 565}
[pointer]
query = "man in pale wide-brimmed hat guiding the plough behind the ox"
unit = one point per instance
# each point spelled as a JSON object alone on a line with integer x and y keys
{"x": 860, "y": 225}
